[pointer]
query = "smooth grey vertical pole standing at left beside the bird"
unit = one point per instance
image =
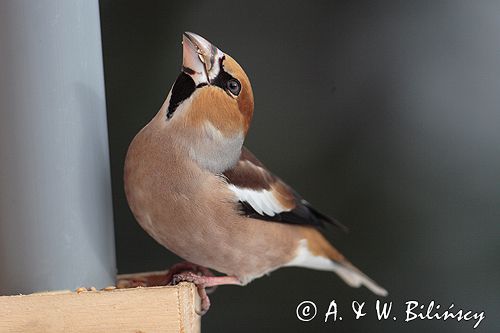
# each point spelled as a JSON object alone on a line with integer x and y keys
{"x": 56, "y": 223}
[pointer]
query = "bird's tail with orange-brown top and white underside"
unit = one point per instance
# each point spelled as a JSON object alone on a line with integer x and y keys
{"x": 316, "y": 252}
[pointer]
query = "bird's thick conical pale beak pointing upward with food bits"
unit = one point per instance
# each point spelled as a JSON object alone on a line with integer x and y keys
{"x": 200, "y": 58}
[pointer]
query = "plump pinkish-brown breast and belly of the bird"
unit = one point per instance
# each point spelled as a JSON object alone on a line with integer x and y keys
{"x": 192, "y": 213}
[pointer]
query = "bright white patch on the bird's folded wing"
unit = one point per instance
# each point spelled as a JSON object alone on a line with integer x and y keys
{"x": 263, "y": 201}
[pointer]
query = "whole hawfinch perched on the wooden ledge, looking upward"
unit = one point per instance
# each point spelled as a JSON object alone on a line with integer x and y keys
{"x": 197, "y": 190}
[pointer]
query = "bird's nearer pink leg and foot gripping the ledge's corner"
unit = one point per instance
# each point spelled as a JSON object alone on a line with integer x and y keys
{"x": 203, "y": 282}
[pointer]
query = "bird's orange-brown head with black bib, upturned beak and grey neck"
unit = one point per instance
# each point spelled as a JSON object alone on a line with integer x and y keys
{"x": 212, "y": 101}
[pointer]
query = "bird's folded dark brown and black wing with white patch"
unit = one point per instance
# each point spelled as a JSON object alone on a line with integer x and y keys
{"x": 264, "y": 196}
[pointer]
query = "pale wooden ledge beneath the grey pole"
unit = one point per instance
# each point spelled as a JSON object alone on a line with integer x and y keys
{"x": 135, "y": 310}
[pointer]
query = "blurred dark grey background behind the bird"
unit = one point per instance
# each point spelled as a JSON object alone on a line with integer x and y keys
{"x": 385, "y": 115}
